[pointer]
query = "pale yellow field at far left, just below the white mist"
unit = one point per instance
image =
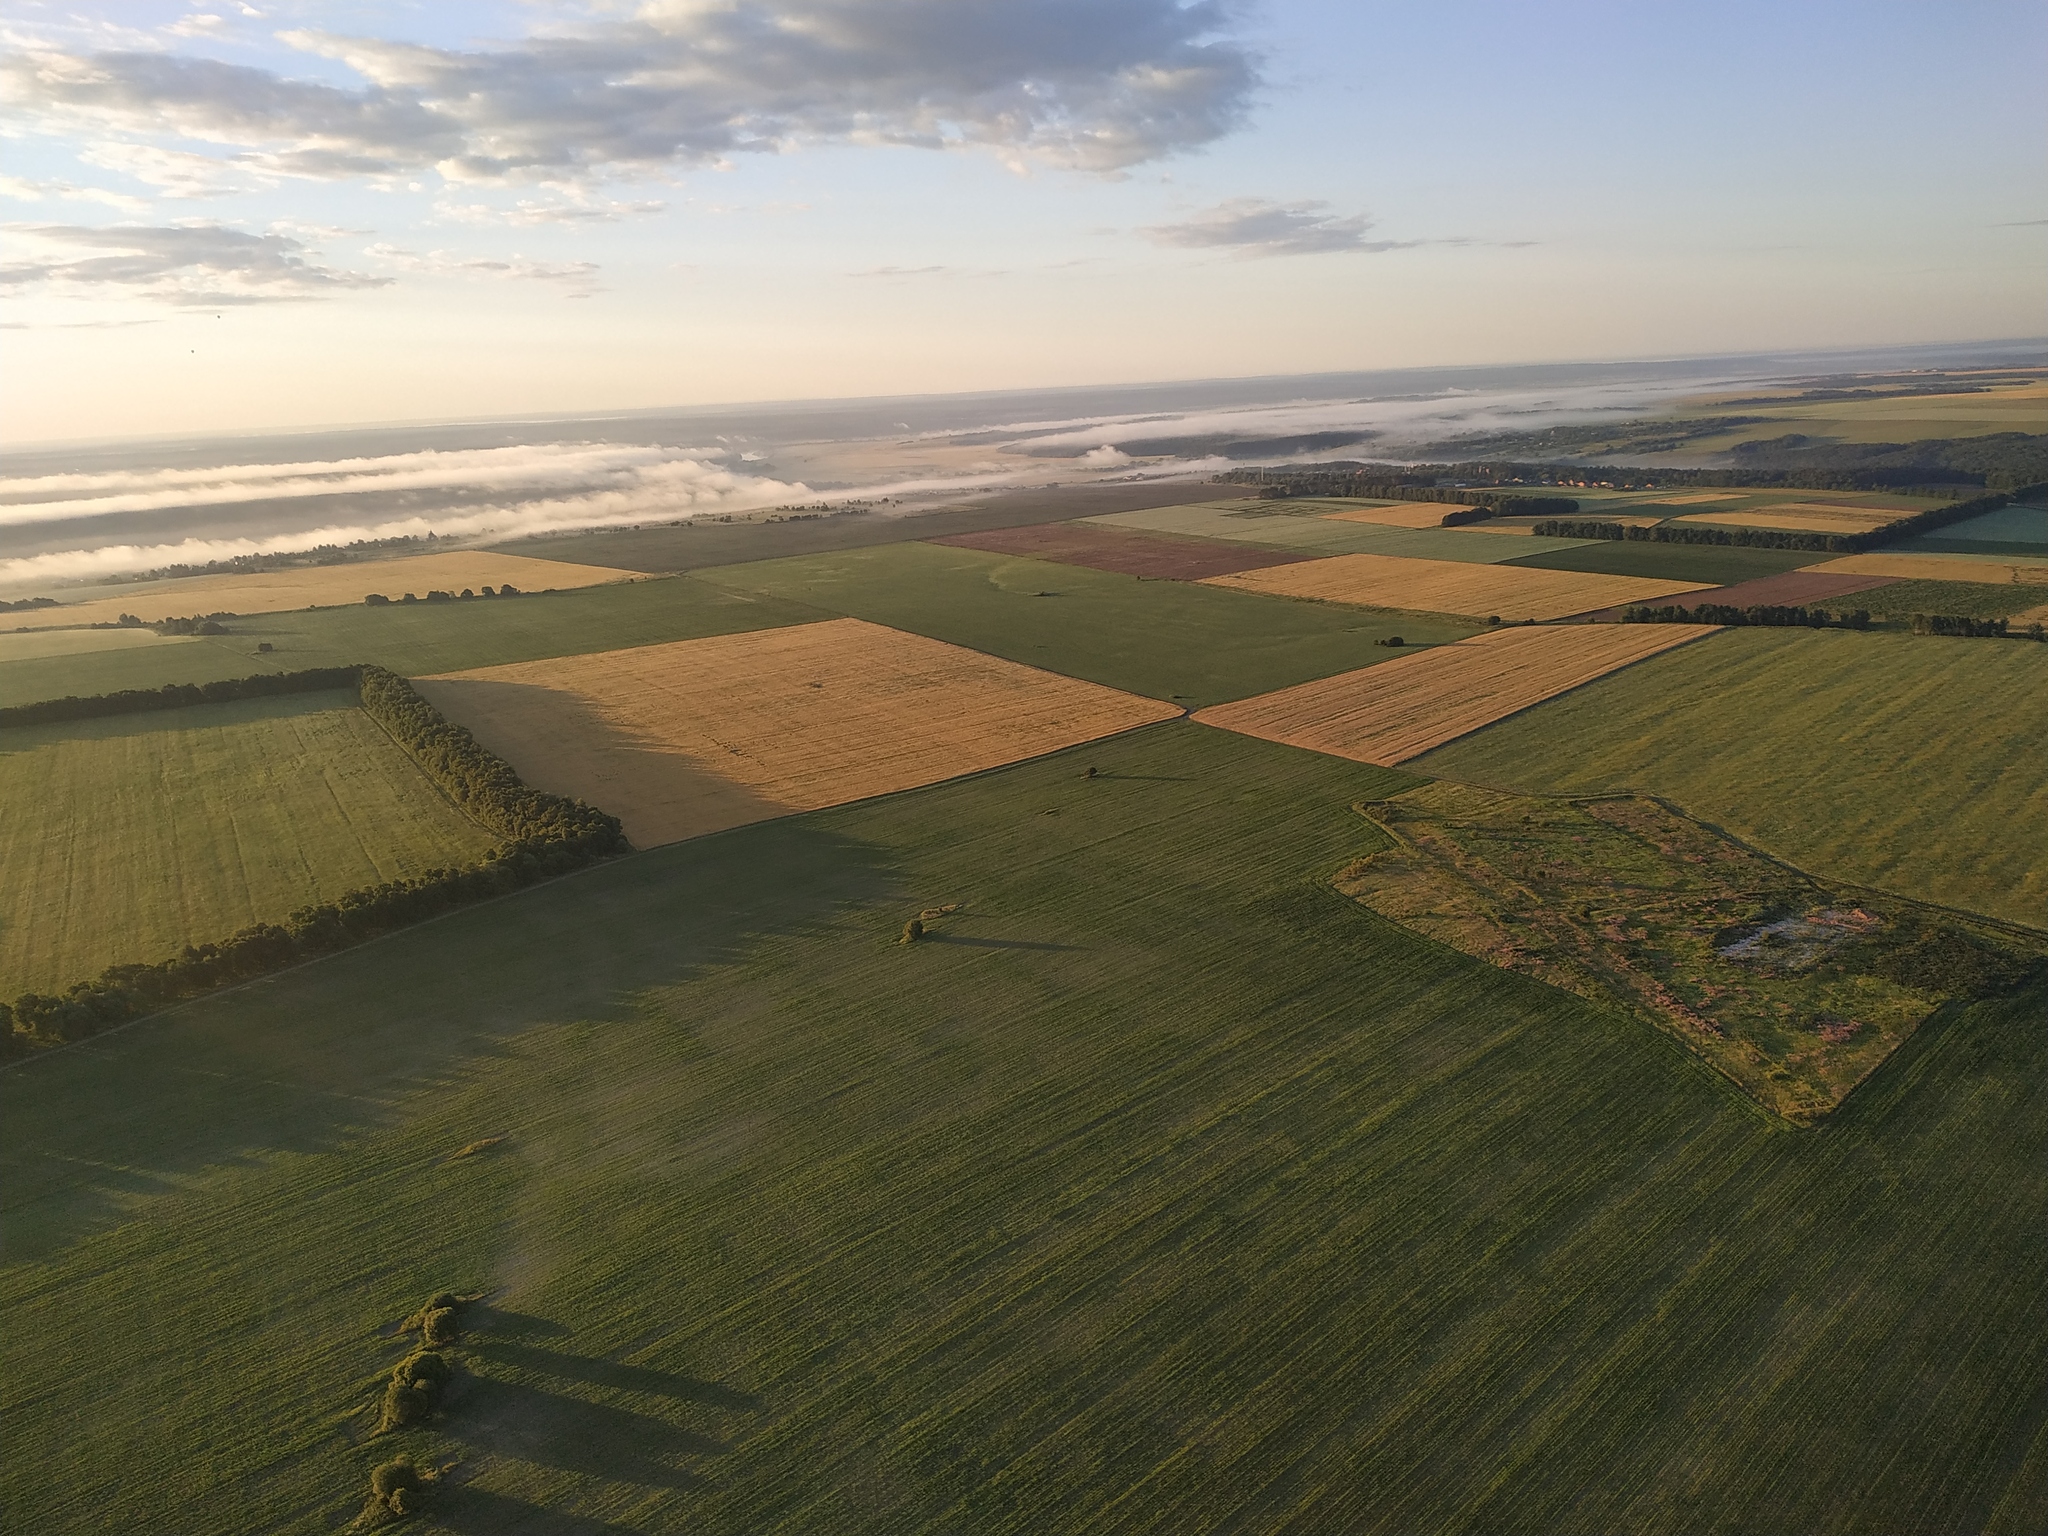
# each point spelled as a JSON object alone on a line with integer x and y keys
{"x": 323, "y": 587}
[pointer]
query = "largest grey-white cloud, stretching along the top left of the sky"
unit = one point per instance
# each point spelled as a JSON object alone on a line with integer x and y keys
{"x": 1095, "y": 85}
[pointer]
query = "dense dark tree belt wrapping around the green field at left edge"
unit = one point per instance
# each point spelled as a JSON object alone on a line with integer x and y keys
{"x": 546, "y": 837}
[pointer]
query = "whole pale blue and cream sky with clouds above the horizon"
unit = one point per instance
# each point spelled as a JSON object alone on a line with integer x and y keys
{"x": 296, "y": 212}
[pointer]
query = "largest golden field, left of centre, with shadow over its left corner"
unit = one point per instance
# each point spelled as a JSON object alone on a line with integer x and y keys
{"x": 710, "y": 734}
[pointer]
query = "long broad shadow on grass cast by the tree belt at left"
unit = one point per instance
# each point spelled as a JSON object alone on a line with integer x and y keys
{"x": 306, "y": 1060}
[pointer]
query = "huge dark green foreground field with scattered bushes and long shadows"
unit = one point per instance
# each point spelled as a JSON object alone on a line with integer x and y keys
{"x": 1160, "y": 1191}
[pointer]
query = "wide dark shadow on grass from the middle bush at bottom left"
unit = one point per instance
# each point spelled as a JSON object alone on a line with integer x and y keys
{"x": 572, "y": 1435}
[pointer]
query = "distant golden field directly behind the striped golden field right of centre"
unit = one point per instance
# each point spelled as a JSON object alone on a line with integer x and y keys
{"x": 1453, "y": 587}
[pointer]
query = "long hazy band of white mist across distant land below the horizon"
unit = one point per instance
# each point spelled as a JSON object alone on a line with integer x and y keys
{"x": 110, "y": 511}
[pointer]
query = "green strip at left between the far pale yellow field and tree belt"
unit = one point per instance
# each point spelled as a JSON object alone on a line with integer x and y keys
{"x": 417, "y": 640}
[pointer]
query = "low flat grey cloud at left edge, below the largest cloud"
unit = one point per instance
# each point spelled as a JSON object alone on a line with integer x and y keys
{"x": 206, "y": 265}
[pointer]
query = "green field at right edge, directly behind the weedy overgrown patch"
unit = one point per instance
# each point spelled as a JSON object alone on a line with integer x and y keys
{"x": 1895, "y": 761}
